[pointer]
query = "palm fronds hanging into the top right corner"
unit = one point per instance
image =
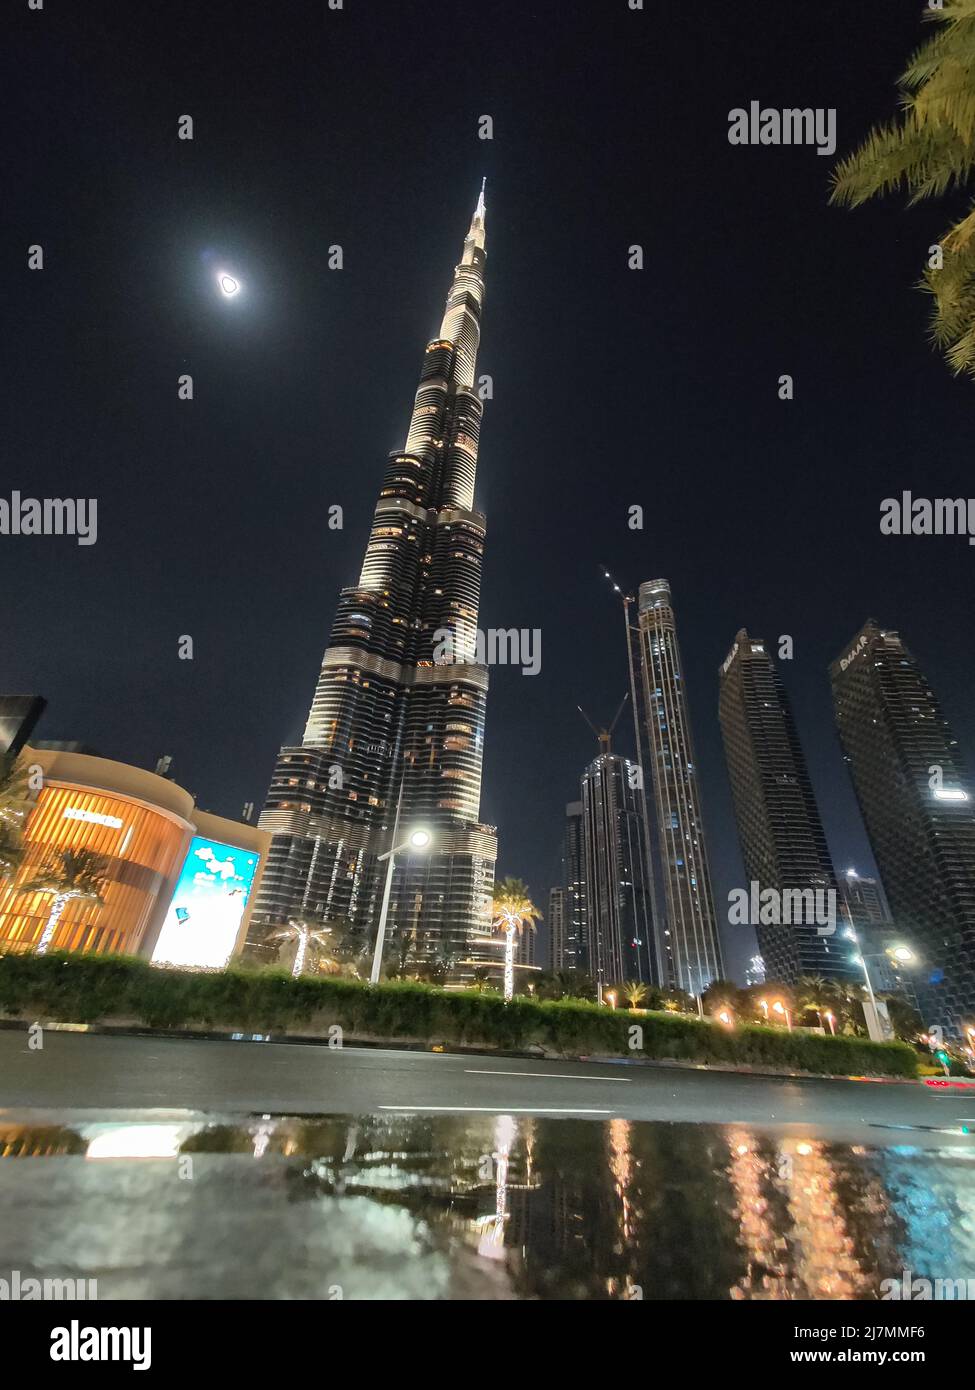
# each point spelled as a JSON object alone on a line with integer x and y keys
{"x": 930, "y": 151}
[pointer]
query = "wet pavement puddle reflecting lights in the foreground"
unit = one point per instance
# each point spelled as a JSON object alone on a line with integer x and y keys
{"x": 184, "y": 1206}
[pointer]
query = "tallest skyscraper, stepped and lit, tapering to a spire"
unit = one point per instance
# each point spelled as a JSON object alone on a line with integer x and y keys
{"x": 397, "y": 728}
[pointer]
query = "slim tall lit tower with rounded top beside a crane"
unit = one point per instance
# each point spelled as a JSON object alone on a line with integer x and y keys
{"x": 689, "y": 940}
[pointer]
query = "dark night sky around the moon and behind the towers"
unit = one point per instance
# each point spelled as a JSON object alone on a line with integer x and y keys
{"x": 613, "y": 387}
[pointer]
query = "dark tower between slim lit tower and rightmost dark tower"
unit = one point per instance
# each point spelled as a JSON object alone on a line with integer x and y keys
{"x": 784, "y": 844}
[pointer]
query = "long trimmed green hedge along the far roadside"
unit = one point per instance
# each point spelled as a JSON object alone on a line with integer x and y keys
{"x": 97, "y": 989}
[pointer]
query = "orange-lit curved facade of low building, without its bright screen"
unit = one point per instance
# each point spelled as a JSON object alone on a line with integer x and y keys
{"x": 140, "y": 826}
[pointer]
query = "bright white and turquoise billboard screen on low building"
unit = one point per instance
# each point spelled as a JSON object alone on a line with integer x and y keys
{"x": 208, "y": 906}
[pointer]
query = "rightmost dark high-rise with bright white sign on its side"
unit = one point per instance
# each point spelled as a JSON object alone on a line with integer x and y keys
{"x": 917, "y": 806}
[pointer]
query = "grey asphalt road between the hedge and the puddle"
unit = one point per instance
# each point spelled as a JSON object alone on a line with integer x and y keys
{"x": 95, "y": 1072}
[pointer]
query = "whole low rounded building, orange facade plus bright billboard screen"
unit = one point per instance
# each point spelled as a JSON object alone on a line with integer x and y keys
{"x": 177, "y": 883}
